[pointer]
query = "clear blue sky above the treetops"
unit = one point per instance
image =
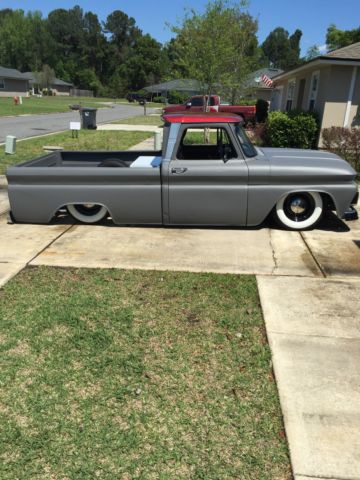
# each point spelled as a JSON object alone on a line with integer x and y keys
{"x": 311, "y": 16}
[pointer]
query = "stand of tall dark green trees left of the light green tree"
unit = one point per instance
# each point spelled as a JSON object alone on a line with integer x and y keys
{"x": 79, "y": 48}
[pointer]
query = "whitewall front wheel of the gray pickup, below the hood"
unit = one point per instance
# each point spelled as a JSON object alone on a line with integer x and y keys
{"x": 299, "y": 211}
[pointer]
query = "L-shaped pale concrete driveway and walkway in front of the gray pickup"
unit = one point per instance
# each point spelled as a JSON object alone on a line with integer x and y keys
{"x": 309, "y": 290}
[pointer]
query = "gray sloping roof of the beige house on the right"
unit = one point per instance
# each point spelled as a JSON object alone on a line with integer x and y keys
{"x": 349, "y": 55}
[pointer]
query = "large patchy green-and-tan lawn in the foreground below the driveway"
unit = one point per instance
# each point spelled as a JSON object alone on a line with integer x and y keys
{"x": 136, "y": 375}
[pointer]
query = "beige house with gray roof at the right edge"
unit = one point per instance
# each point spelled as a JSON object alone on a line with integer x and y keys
{"x": 329, "y": 85}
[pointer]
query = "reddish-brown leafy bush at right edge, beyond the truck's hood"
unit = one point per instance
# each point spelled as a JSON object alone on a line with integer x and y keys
{"x": 345, "y": 142}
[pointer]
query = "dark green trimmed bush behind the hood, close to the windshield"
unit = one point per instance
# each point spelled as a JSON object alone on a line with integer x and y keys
{"x": 292, "y": 130}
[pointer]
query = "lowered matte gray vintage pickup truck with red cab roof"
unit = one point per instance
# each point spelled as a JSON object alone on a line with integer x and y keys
{"x": 208, "y": 173}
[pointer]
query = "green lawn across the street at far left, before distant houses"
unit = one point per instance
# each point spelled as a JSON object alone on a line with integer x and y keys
{"x": 34, "y": 105}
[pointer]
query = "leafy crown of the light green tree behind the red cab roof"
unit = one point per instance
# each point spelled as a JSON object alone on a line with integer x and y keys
{"x": 218, "y": 48}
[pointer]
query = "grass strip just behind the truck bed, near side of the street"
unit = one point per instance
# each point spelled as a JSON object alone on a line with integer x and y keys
{"x": 87, "y": 140}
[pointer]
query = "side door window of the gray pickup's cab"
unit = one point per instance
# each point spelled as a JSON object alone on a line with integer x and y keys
{"x": 206, "y": 144}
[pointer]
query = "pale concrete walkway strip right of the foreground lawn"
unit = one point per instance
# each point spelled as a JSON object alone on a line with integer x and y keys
{"x": 314, "y": 335}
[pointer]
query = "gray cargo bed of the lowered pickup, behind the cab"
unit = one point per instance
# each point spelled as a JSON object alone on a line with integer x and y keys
{"x": 40, "y": 187}
